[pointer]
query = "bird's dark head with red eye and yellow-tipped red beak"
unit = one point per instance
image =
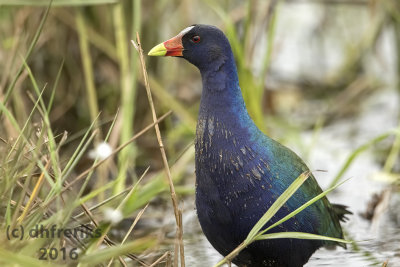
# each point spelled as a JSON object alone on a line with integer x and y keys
{"x": 204, "y": 46}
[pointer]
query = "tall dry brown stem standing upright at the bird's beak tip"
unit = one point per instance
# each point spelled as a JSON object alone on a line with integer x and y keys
{"x": 138, "y": 47}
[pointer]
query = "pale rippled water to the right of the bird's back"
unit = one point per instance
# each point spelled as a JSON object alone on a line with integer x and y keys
{"x": 378, "y": 241}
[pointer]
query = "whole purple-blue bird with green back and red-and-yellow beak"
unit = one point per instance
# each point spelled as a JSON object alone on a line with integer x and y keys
{"x": 240, "y": 171}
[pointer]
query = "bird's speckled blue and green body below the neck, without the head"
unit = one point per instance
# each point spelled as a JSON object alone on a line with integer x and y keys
{"x": 240, "y": 172}
